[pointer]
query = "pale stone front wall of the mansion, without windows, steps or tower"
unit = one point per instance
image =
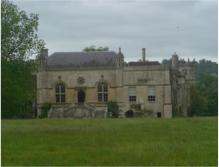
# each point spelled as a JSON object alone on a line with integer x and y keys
{"x": 118, "y": 81}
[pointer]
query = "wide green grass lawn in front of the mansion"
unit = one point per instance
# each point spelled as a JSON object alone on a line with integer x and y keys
{"x": 179, "y": 141}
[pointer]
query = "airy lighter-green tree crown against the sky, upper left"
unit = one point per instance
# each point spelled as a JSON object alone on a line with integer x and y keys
{"x": 19, "y": 39}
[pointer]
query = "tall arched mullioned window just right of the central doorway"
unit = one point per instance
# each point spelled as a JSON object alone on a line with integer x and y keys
{"x": 102, "y": 90}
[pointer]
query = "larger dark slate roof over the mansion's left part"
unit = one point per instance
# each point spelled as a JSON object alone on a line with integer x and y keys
{"x": 81, "y": 59}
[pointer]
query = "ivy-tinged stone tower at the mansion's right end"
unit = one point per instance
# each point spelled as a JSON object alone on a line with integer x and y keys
{"x": 182, "y": 78}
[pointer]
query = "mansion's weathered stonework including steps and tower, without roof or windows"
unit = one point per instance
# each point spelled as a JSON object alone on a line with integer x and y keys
{"x": 171, "y": 85}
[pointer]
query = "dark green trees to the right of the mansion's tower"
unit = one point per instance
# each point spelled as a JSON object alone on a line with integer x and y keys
{"x": 204, "y": 94}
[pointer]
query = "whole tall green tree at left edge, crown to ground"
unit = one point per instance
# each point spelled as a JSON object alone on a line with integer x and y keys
{"x": 19, "y": 41}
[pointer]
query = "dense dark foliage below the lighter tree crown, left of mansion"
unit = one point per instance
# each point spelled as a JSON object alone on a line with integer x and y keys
{"x": 17, "y": 89}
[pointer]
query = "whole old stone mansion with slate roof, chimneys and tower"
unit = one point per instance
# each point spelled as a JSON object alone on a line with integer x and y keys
{"x": 79, "y": 84}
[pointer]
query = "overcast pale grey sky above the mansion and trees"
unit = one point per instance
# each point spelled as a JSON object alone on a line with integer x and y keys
{"x": 188, "y": 27}
